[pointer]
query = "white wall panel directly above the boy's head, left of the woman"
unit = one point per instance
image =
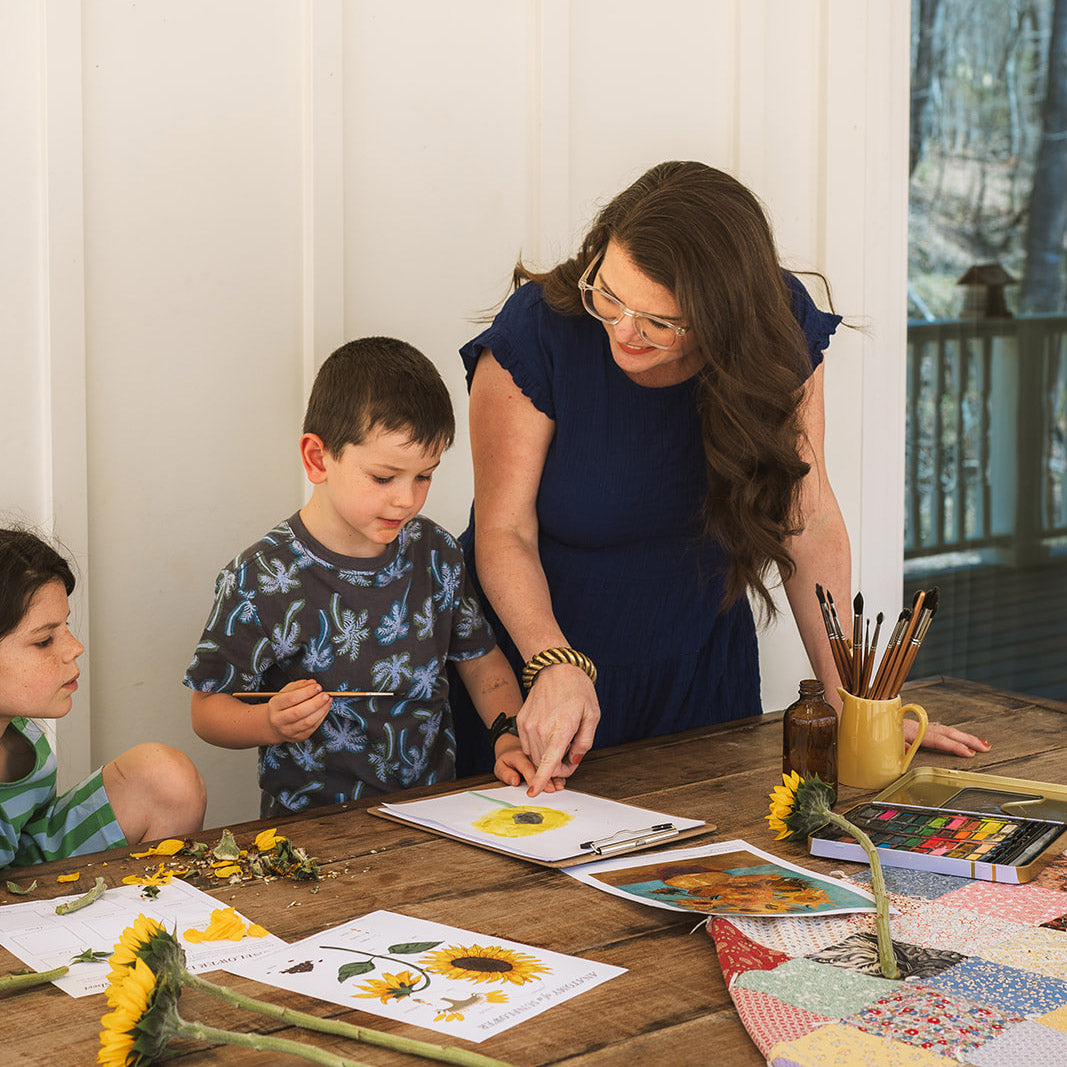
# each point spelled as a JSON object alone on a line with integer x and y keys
{"x": 439, "y": 184}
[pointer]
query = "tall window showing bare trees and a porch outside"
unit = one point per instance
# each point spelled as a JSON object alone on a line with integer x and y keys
{"x": 986, "y": 517}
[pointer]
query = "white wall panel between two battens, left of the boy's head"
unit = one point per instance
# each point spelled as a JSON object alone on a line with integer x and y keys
{"x": 194, "y": 214}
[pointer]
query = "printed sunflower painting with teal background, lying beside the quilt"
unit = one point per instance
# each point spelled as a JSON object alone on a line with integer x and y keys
{"x": 727, "y": 878}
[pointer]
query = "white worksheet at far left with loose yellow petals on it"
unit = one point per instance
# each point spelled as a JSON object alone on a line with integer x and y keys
{"x": 43, "y": 941}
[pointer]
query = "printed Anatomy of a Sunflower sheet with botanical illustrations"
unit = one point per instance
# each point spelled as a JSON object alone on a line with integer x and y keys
{"x": 427, "y": 975}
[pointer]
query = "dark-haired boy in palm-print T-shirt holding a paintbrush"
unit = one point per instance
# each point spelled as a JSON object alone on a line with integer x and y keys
{"x": 355, "y": 593}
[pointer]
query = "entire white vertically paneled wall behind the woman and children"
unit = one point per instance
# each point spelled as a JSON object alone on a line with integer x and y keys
{"x": 202, "y": 199}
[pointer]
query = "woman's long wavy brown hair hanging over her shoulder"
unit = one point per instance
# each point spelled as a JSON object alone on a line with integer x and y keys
{"x": 704, "y": 236}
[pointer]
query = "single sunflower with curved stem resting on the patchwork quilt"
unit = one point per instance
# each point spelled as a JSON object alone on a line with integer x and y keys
{"x": 800, "y": 807}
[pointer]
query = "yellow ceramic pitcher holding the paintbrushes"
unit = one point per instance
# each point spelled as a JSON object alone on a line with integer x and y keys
{"x": 871, "y": 741}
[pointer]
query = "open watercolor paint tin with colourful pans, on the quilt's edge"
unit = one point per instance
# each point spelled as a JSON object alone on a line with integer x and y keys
{"x": 955, "y": 822}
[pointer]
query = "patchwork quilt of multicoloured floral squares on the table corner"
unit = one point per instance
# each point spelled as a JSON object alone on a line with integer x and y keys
{"x": 983, "y": 966}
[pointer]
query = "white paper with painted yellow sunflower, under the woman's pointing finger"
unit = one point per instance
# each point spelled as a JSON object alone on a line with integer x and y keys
{"x": 552, "y": 829}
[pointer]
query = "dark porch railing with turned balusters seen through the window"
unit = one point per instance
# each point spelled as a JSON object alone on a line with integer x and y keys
{"x": 988, "y": 437}
